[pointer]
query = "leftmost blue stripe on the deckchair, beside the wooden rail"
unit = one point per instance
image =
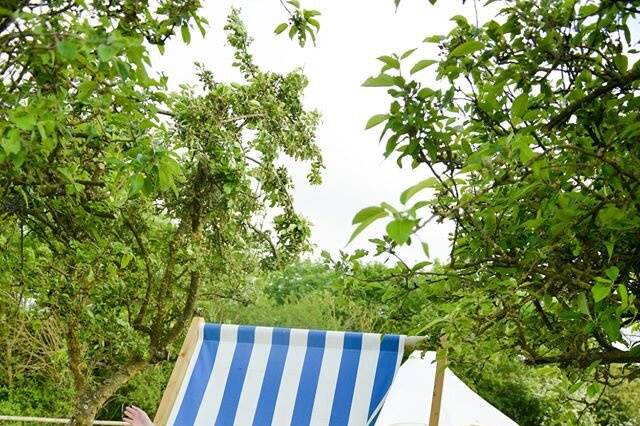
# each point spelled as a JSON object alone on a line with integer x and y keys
{"x": 200, "y": 376}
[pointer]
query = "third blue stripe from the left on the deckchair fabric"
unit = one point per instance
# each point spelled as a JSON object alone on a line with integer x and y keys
{"x": 273, "y": 376}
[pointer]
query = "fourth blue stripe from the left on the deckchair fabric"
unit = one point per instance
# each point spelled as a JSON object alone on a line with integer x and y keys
{"x": 309, "y": 378}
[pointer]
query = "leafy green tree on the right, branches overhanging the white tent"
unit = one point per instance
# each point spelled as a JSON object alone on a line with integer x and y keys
{"x": 529, "y": 137}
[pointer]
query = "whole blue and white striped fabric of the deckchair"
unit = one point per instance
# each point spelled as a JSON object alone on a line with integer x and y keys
{"x": 263, "y": 376}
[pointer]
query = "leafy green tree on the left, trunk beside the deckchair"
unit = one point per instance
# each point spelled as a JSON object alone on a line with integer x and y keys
{"x": 122, "y": 203}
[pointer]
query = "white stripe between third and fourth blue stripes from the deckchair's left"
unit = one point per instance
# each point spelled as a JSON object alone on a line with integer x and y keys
{"x": 291, "y": 373}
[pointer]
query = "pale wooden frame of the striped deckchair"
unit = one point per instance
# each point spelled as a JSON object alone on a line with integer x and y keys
{"x": 188, "y": 348}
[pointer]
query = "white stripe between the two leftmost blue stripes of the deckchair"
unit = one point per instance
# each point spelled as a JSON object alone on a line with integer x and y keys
{"x": 215, "y": 388}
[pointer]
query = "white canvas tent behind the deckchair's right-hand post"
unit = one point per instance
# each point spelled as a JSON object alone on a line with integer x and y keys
{"x": 408, "y": 402}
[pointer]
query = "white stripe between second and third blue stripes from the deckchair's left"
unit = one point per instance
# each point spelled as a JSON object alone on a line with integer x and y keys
{"x": 255, "y": 376}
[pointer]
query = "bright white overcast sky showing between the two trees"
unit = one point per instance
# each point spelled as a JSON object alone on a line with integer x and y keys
{"x": 353, "y": 34}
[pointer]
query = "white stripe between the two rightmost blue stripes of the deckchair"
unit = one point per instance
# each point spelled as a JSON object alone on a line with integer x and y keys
{"x": 364, "y": 379}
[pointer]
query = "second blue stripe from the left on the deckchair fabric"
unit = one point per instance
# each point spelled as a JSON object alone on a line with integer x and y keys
{"x": 237, "y": 374}
